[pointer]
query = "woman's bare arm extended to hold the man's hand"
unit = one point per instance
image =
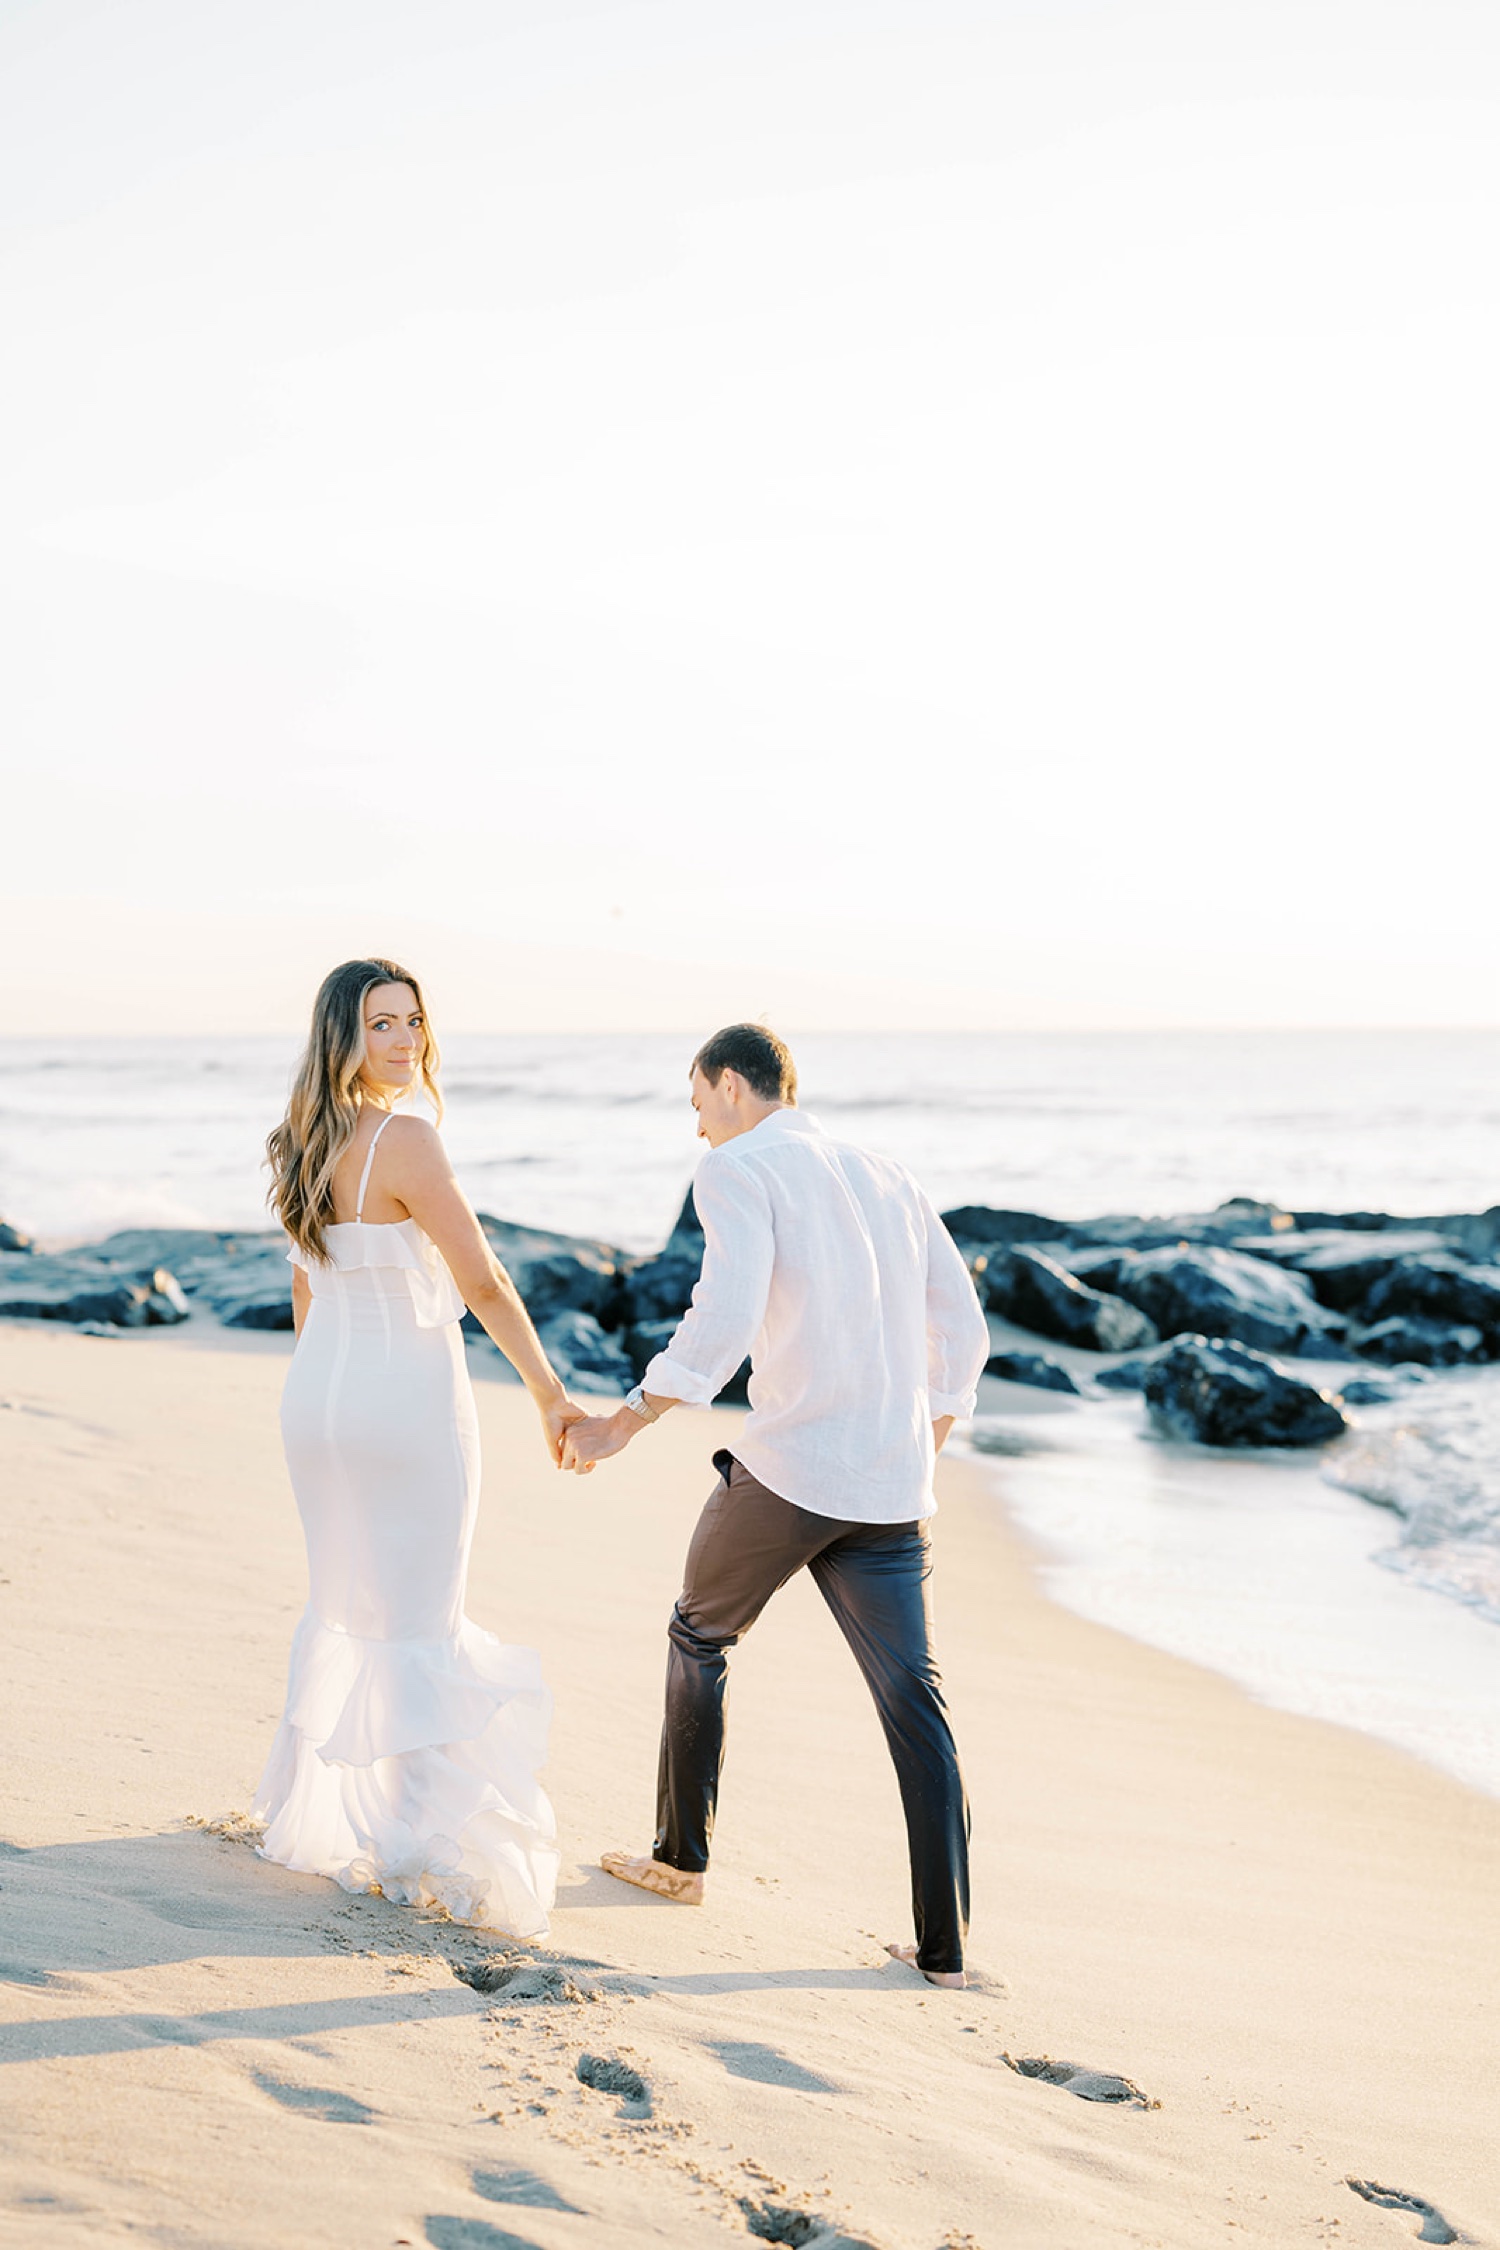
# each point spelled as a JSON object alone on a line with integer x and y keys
{"x": 422, "y": 1178}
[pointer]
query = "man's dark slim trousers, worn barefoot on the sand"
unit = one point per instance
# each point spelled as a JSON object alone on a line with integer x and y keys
{"x": 876, "y": 1581}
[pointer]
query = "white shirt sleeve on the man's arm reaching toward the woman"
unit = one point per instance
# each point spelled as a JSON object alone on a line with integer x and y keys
{"x": 732, "y": 1290}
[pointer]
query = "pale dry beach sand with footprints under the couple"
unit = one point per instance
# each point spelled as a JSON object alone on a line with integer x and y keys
{"x": 1285, "y": 1934}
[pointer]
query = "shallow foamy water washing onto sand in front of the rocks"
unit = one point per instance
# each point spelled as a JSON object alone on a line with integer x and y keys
{"x": 1256, "y": 1569}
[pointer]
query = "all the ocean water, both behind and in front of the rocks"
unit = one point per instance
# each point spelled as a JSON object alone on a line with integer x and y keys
{"x": 1362, "y": 1585}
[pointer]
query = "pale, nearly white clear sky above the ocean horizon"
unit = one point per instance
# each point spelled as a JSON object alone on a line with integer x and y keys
{"x": 885, "y": 512}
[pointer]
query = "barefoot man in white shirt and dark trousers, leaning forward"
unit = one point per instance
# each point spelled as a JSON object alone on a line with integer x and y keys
{"x": 835, "y": 1275}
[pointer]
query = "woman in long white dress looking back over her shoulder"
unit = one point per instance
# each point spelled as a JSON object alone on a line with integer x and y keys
{"x": 410, "y": 1745}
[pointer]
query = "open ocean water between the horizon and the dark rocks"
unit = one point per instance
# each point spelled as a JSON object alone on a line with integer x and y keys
{"x": 595, "y": 1135}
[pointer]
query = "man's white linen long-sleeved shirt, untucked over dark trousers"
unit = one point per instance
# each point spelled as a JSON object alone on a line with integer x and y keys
{"x": 838, "y": 1277}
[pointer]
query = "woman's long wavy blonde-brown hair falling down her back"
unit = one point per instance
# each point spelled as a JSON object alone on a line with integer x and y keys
{"x": 325, "y": 1108}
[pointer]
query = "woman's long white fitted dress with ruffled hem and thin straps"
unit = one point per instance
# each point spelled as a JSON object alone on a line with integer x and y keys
{"x": 410, "y": 1745}
